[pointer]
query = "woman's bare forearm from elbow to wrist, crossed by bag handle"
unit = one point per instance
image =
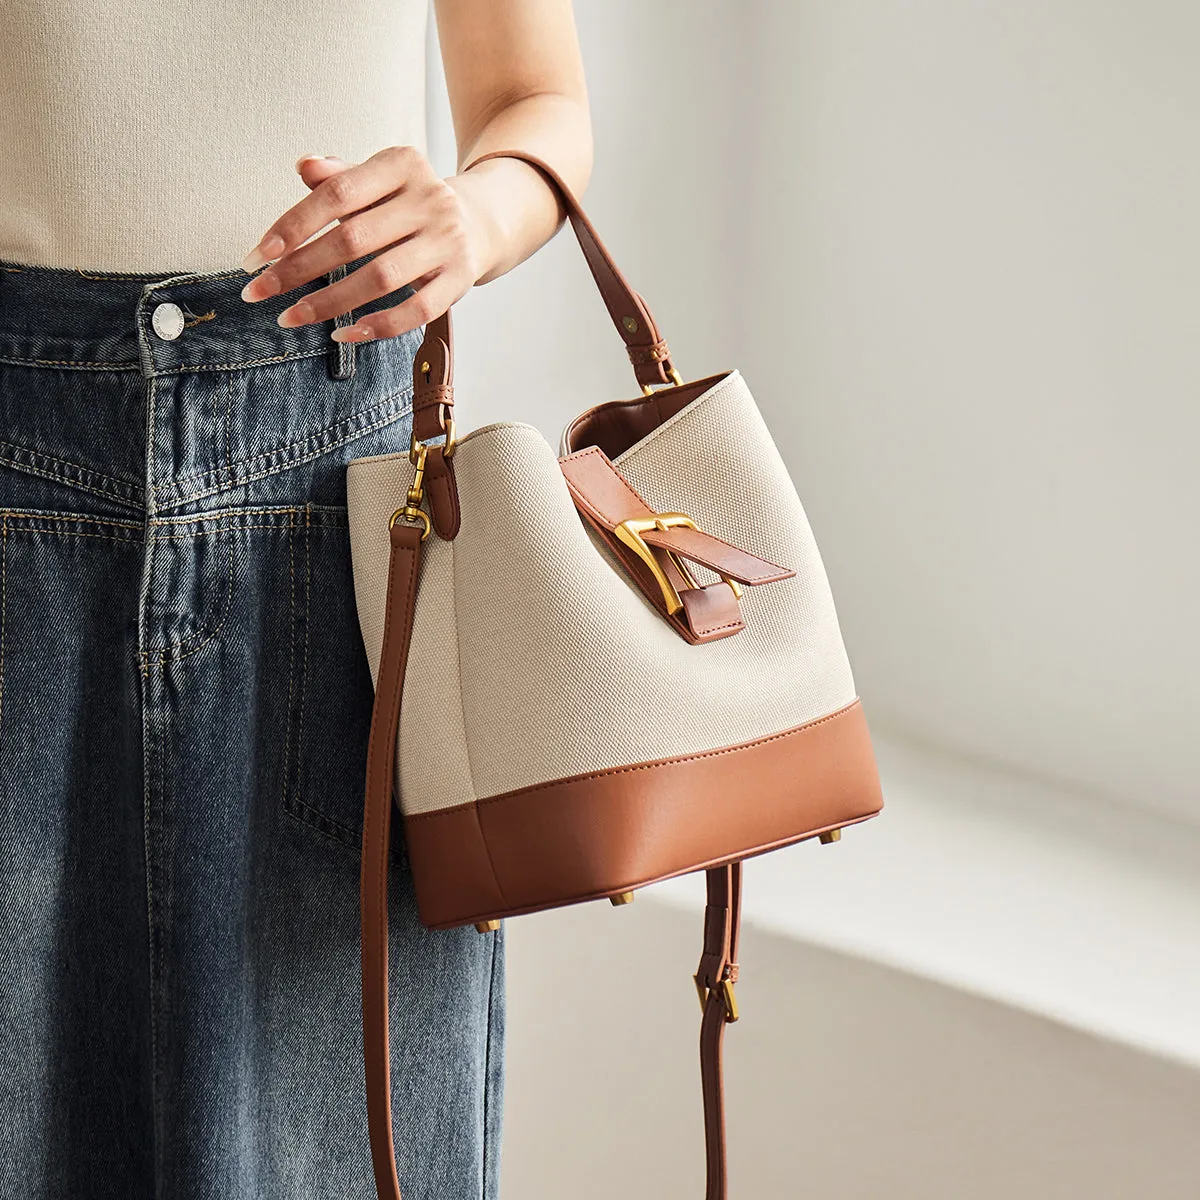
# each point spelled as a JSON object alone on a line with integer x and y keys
{"x": 517, "y": 207}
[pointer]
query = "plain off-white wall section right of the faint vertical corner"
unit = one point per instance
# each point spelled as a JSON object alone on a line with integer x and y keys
{"x": 977, "y": 260}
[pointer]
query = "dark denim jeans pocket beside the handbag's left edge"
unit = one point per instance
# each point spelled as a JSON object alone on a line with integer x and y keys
{"x": 331, "y": 695}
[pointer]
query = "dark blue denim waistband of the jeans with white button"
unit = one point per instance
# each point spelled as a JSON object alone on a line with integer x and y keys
{"x": 70, "y": 319}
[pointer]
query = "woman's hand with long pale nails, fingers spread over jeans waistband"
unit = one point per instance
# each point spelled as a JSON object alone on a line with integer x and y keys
{"x": 422, "y": 229}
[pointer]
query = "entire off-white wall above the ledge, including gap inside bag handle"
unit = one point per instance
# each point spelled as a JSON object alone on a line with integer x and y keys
{"x": 953, "y": 248}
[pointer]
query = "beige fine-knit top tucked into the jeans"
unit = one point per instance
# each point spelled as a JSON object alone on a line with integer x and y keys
{"x": 161, "y": 136}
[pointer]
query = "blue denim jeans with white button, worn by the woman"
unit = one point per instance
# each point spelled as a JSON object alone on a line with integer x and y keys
{"x": 184, "y": 713}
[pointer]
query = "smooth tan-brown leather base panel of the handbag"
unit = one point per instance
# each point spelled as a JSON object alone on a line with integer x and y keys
{"x": 611, "y": 832}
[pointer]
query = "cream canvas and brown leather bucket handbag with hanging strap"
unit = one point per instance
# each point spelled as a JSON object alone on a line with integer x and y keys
{"x": 595, "y": 668}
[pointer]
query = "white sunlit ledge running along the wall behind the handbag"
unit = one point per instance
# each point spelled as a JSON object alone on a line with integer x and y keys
{"x": 1007, "y": 886}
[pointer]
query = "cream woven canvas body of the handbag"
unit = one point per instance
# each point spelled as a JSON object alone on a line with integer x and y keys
{"x": 536, "y": 658}
